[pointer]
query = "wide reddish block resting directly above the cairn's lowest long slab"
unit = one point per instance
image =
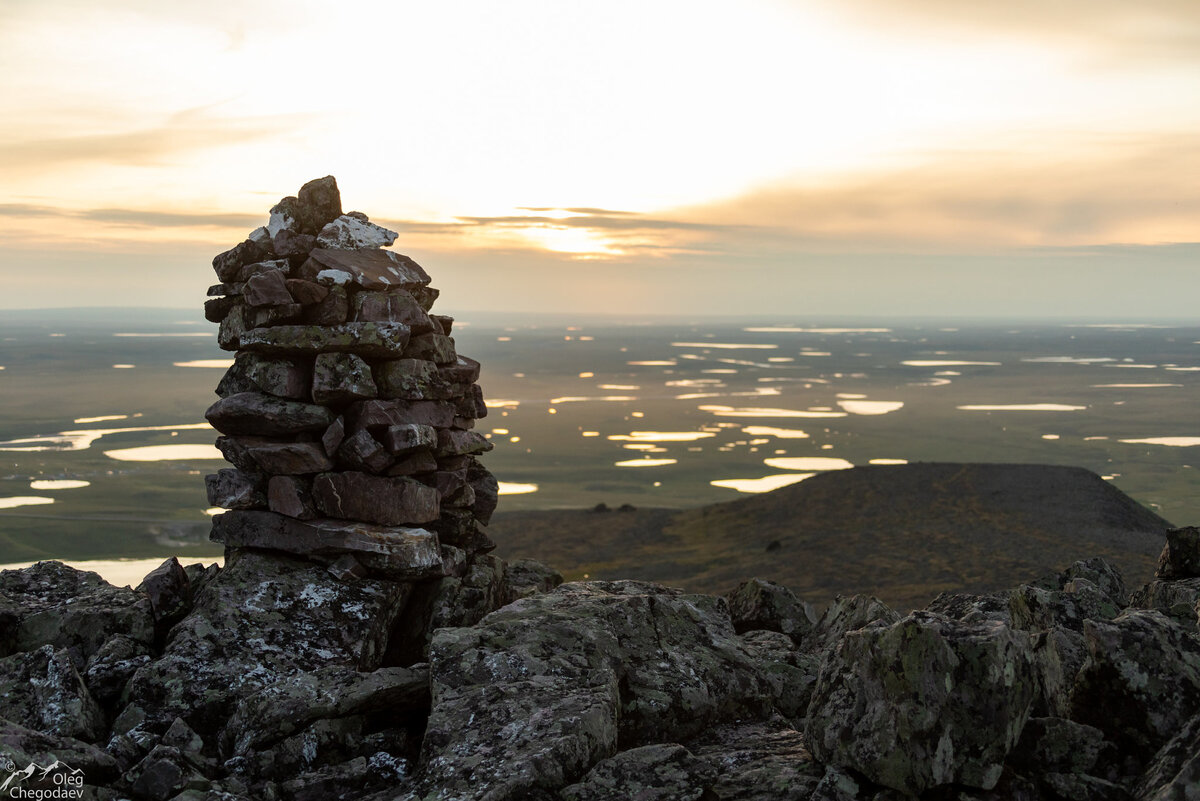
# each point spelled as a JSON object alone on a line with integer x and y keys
{"x": 375, "y": 499}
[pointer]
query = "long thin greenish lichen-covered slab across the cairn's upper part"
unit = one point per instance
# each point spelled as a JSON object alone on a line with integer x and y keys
{"x": 375, "y": 340}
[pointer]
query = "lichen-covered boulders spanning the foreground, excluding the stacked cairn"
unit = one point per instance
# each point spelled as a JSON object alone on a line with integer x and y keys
{"x": 274, "y": 679}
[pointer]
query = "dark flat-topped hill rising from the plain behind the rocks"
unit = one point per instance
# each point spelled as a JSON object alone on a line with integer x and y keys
{"x": 903, "y": 533}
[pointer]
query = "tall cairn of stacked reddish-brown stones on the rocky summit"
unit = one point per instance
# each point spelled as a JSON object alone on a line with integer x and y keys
{"x": 347, "y": 413}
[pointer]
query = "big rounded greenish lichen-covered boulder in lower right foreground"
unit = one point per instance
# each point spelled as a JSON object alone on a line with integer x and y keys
{"x": 902, "y": 704}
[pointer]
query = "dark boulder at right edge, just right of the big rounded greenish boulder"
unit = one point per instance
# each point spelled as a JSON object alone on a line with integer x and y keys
{"x": 1135, "y": 663}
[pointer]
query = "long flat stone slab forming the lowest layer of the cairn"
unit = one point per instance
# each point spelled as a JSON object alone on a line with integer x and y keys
{"x": 391, "y": 552}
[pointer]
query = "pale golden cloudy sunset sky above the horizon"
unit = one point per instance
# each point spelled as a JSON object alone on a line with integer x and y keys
{"x": 782, "y": 158}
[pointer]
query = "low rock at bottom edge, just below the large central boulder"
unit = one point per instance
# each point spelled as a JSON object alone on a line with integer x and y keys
{"x": 657, "y": 773}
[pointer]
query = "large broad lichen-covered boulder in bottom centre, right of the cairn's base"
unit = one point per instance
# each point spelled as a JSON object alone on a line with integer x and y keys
{"x": 539, "y": 691}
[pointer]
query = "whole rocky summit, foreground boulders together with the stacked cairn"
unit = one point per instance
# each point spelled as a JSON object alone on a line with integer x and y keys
{"x": 362, "y": 642}
